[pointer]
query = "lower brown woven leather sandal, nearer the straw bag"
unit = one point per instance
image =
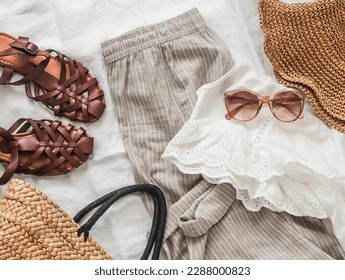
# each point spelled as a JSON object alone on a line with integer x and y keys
{"x": 42, "y": 147}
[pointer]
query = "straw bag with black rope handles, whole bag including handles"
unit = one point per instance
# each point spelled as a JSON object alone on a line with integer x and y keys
{"x": 32, "y": 226}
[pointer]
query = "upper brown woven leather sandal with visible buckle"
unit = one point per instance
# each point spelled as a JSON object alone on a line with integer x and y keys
{"x": 61, "y": 83}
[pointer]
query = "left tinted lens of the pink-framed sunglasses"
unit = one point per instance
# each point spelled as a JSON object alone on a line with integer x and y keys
{"x": 242, "y": 105}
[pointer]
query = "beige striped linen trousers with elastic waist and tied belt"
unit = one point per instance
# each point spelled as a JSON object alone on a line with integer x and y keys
{"x": 154, "y": 72}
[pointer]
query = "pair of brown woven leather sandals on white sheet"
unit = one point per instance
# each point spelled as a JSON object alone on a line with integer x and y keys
{"x": 46, "y": 147}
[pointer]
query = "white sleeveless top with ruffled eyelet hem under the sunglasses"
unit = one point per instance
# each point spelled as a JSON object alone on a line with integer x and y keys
{"x": 295, "y": 167}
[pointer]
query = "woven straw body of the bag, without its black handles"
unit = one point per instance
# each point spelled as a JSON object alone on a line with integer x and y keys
{"x": 33, "y": 227}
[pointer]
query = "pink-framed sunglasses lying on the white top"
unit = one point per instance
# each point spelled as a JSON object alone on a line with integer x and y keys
{"x": 244, "y": 105}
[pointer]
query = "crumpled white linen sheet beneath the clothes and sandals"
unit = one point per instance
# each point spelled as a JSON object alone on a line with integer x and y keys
{"x": 77, "y": 29}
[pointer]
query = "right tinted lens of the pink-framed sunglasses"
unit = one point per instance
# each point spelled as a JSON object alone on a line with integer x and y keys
{"x": 287, "y": 106}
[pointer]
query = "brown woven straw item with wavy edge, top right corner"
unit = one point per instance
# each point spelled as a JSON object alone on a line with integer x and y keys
{"x": 305, "y": 44}
